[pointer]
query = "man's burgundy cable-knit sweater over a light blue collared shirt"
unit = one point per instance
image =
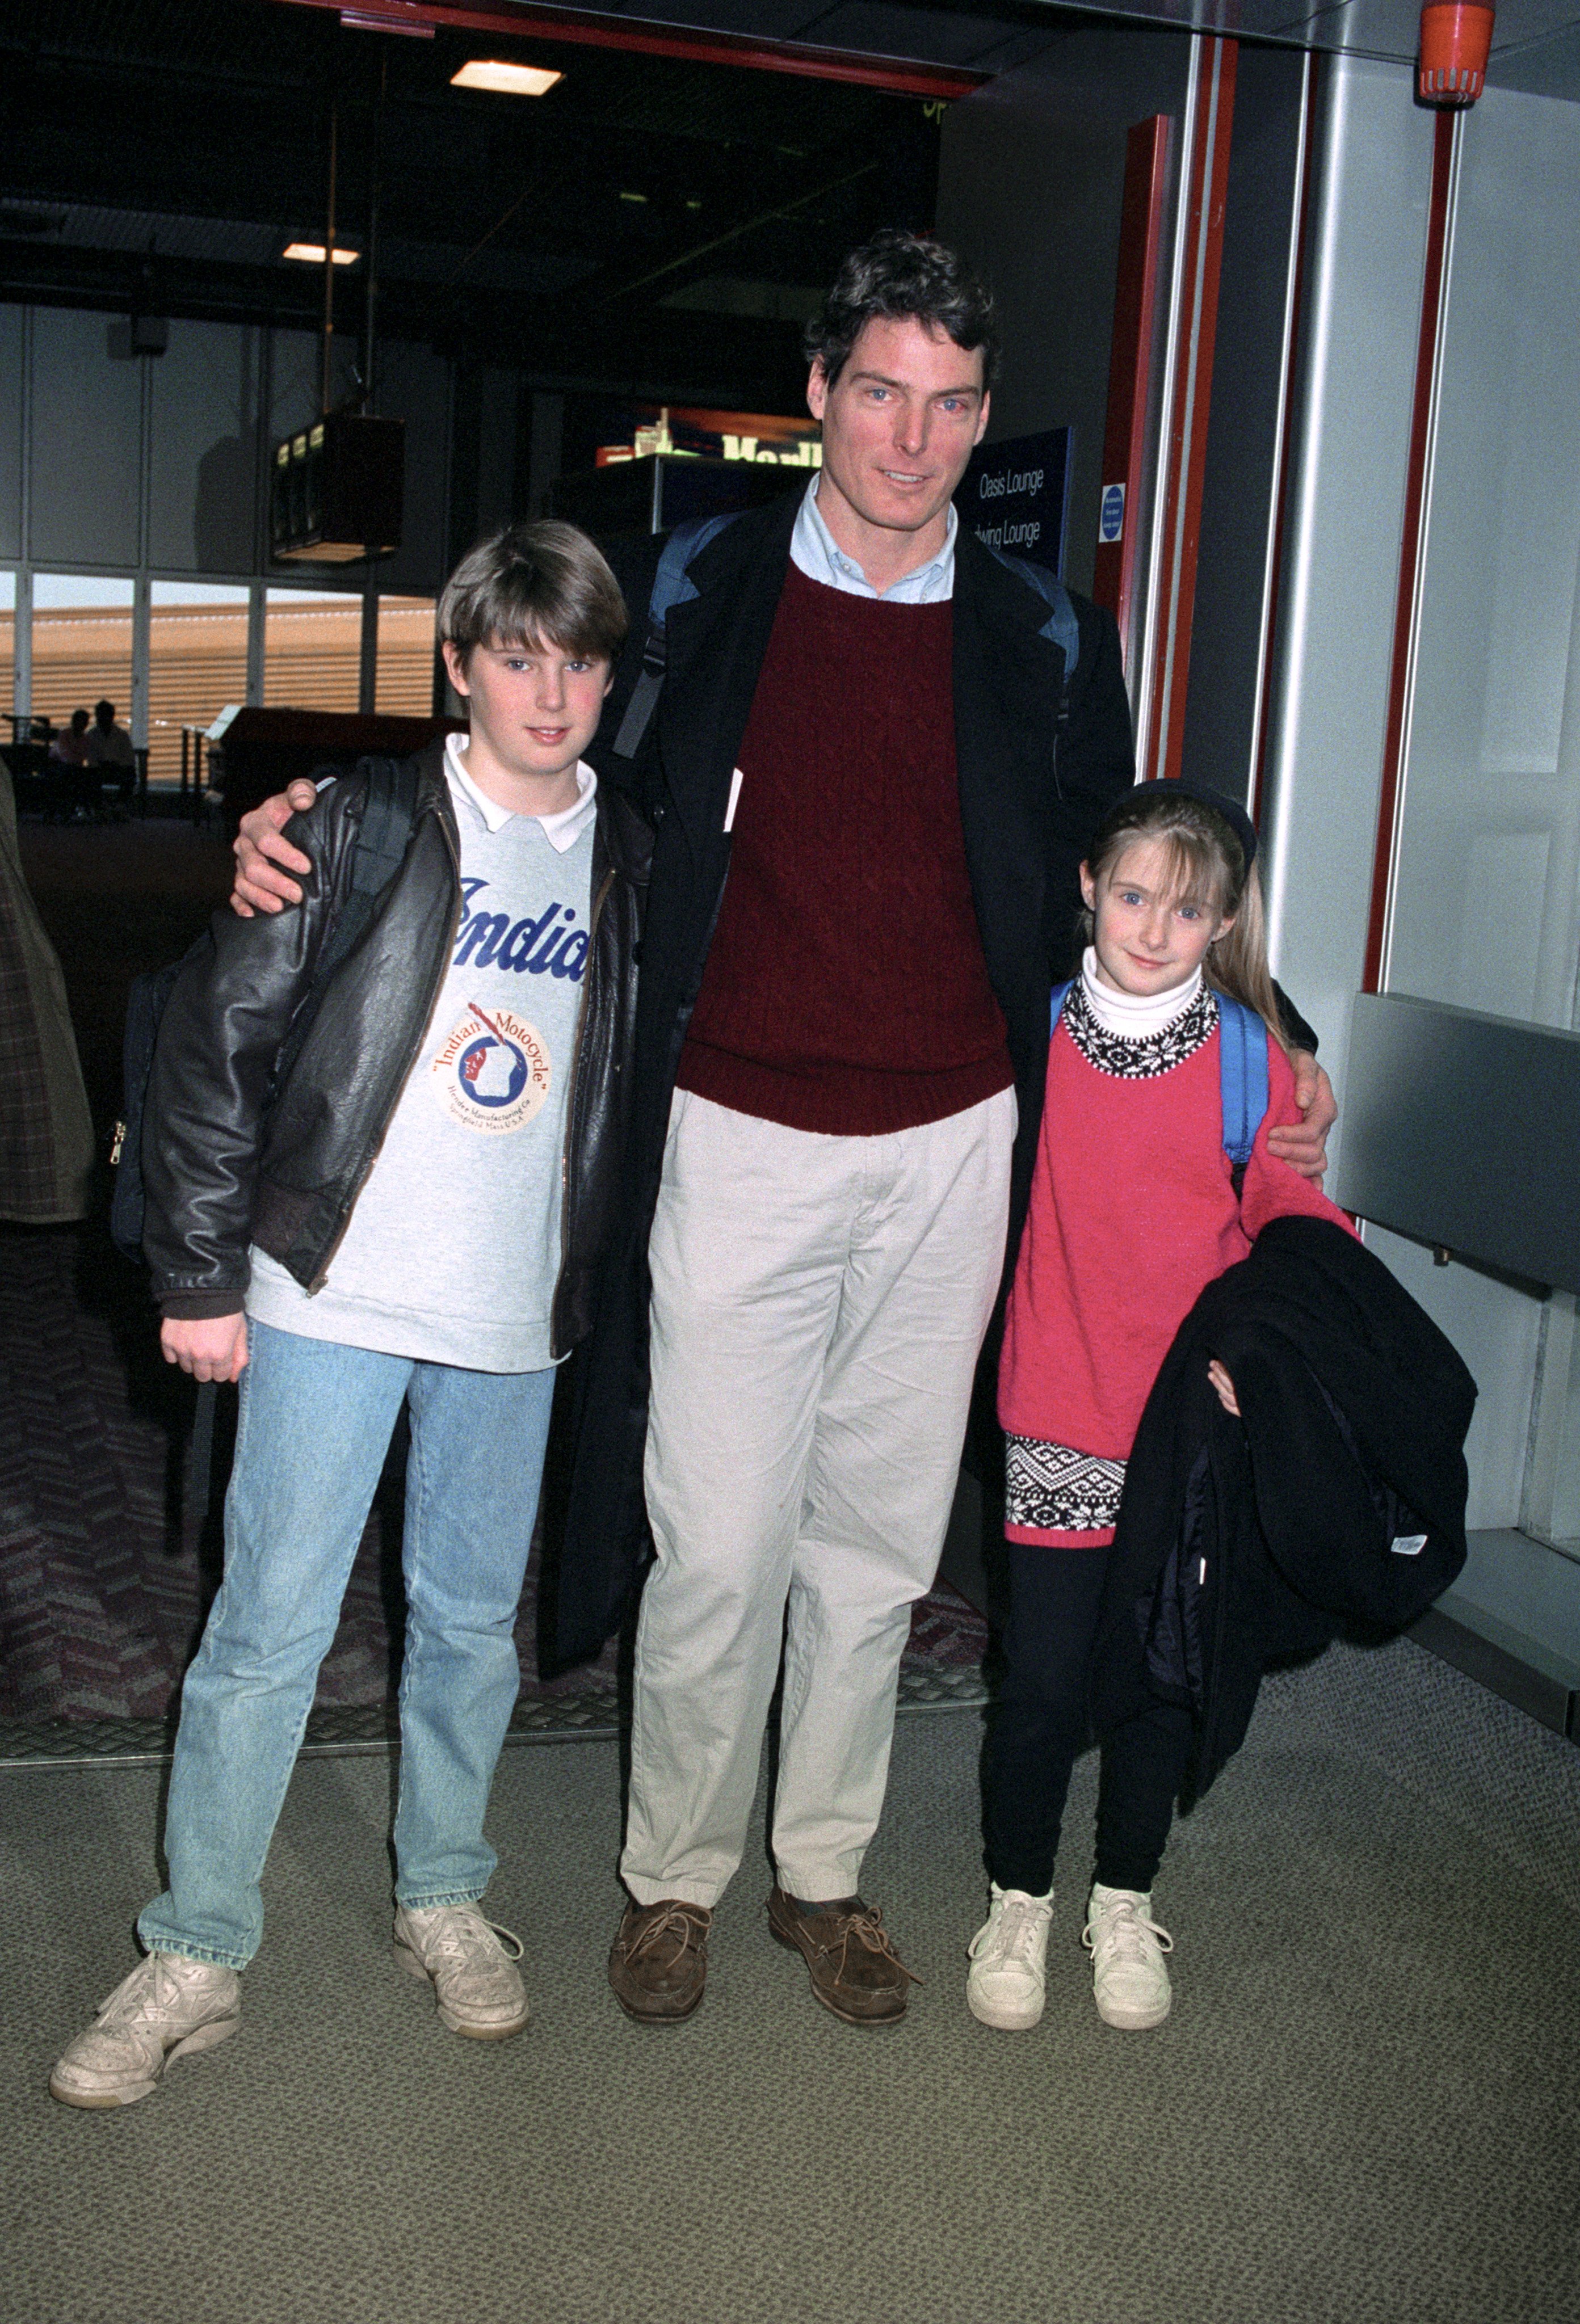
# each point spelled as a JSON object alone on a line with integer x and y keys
{"x": 847, "y": 987}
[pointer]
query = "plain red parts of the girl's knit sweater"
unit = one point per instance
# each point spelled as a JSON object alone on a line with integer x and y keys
{"x": 1133, "y": 1217}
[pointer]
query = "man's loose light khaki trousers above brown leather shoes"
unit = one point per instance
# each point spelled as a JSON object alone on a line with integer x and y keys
{"x": 819, "y": 1305}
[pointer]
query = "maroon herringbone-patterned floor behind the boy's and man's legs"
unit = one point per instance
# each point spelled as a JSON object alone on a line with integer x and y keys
{"x": 106, "y": 1575}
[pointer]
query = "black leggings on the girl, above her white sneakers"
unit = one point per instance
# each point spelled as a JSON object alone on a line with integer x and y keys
{"x": 1042, "y": 1726}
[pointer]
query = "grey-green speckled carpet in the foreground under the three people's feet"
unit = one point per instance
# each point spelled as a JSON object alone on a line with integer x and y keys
{"x": 1363, "y": 2109}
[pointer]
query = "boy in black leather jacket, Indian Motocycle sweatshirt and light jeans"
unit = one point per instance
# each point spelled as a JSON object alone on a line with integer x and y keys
{"x": 412, "y": 1219}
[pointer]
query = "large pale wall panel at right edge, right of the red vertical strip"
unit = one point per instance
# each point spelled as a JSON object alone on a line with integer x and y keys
{"x": 1488, "y": 847}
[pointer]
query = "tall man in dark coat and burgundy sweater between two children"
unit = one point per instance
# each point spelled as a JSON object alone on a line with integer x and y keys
{"x": 863, "y": 889}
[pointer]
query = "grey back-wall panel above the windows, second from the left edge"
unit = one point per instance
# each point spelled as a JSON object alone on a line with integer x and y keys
{"x": 87, "y": 443}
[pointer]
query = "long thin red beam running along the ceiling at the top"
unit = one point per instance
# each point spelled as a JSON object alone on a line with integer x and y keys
{"x": 635, "y": 34}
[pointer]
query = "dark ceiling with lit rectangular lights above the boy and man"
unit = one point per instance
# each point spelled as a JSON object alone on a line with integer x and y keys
{"x": 652, "y": 224}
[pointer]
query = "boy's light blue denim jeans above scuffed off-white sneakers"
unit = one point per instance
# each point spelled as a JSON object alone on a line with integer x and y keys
{"x": 313, "y": 1435}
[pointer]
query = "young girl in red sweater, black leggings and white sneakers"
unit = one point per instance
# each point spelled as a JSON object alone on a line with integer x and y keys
{"x": 1133, "y": 1214}
